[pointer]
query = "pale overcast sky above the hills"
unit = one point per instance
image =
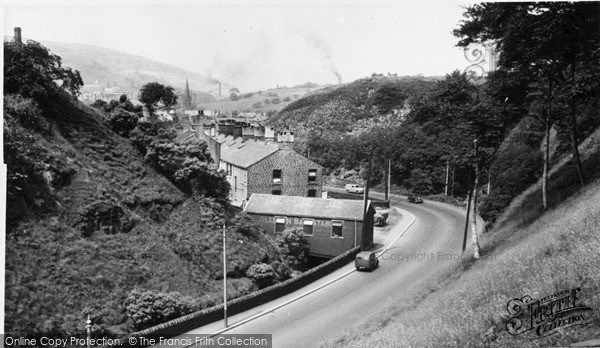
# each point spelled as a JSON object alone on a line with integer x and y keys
{"x": 256, "y": 44}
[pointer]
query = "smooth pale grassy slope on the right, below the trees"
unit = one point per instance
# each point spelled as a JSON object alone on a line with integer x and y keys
{"x": 529, "y": 252}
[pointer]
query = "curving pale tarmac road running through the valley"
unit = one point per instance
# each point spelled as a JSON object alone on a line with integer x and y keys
{"x": 330, "y": 307}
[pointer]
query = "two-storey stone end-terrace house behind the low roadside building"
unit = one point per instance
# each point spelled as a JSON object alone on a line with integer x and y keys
{"x": 269, "y": 168}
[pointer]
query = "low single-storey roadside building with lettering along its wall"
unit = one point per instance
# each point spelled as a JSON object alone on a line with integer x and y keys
{"x": 331, "y": 226}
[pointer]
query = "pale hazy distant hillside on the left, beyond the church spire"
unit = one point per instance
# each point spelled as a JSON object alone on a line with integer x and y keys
{"x": 128, "y": 72}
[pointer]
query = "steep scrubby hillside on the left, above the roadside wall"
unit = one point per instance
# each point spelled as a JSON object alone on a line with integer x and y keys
{"x": 89, "y": 221}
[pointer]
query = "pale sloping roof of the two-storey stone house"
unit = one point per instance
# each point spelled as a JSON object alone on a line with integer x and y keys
{"x": 244, "y": 154}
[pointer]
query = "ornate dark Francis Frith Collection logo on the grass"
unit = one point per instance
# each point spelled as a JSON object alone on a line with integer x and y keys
{"x": 546, "y": 315}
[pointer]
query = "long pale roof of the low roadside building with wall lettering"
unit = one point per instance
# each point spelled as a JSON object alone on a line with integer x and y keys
{"x": 343, "y": 209}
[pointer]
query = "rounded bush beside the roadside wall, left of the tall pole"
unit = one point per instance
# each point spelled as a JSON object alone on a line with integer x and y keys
{"x": 146, "y": 308}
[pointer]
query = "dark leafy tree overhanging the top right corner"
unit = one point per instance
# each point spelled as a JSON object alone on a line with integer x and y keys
{"x": 559, "y": 37}
